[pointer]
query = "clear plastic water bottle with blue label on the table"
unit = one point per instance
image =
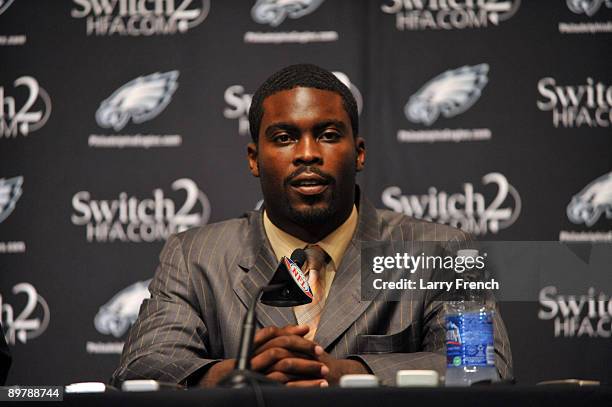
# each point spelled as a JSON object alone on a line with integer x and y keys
{"x": 470, "y": 351}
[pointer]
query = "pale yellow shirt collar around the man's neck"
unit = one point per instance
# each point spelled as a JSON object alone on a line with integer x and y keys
{"x": 335, "y": 244}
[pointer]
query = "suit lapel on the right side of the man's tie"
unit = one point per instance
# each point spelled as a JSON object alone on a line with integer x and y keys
{"x": 343, "y": 305}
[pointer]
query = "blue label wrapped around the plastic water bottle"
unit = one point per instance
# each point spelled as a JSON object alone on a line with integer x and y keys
{"x": 469, "y": 339}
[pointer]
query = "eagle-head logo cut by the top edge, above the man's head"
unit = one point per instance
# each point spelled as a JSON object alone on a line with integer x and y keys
{"x": 274, "y": 12}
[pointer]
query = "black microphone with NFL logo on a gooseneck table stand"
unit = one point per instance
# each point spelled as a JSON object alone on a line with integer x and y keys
{"x": 287, "y": 288}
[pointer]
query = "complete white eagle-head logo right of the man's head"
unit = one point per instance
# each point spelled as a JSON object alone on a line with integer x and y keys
{"x": 448, "y": 94}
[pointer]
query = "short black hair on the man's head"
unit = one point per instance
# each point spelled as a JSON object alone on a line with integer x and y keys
{"x": 301, "y": 75}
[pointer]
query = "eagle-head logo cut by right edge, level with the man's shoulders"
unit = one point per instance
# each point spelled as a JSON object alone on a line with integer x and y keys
{"x": 595, "y": 199}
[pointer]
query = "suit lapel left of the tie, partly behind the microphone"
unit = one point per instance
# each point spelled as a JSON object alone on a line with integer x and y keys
{"x": 258, "y": 265}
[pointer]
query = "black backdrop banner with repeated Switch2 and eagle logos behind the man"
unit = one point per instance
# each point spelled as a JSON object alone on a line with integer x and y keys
{"x": 124, "y": 121}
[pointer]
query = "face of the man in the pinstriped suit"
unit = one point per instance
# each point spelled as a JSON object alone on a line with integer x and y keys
{"x": 306, "y": 156}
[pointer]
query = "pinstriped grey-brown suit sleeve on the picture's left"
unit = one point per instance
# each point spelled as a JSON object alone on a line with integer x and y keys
{"x": 167, "y": 341}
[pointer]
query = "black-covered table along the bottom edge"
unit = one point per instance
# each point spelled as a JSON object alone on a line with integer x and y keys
{"x": 549, "y": 396}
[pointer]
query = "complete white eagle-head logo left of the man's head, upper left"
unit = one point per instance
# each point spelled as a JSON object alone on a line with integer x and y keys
{"x": 141, "y": 99}
